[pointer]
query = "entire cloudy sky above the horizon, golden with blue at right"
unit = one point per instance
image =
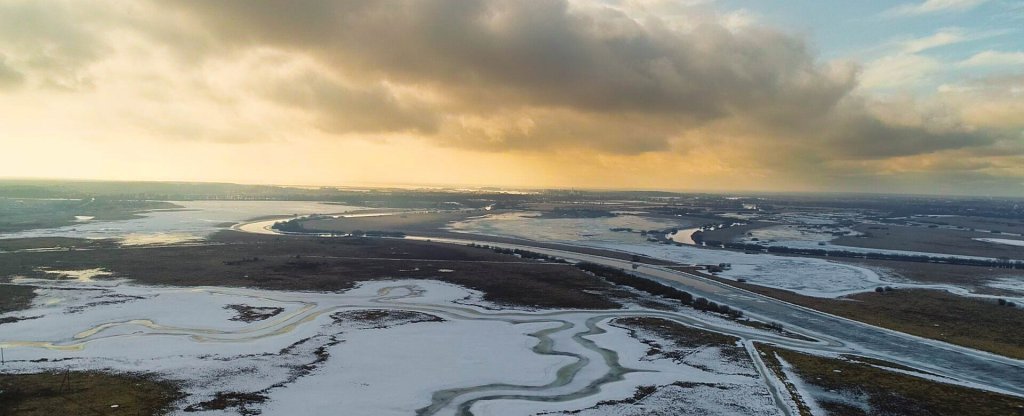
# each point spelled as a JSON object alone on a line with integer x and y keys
{"x": 918, "y": 97}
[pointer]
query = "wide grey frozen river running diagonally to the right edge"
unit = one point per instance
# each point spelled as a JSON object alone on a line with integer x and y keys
{"x": 962, "y": 364}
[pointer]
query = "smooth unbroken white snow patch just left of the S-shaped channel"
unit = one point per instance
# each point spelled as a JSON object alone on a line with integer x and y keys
{"x": 395, "y": 371}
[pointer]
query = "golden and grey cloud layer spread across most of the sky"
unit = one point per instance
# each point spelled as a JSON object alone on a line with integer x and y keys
{"x": 497, "y": 76}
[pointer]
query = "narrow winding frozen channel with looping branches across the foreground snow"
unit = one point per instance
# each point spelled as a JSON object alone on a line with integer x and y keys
{"x": 567, "y": 334}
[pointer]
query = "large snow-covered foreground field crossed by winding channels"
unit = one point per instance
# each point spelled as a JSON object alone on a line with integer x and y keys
{"x": 418, "y": 346}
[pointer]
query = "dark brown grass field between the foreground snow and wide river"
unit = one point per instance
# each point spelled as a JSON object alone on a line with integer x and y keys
{"x": 331, "y": 265}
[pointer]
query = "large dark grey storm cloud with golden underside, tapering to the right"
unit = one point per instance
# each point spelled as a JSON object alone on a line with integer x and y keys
{"x": 594, "y": 67}
